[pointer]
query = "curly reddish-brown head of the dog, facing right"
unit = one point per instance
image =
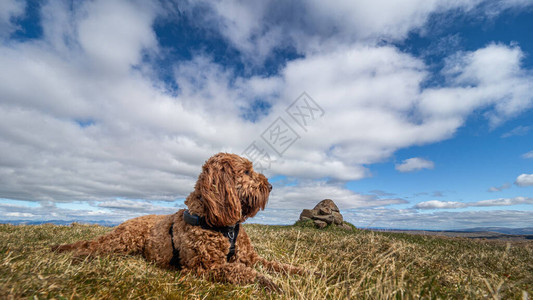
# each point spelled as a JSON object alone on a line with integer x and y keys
{"x": 230, "y": 190}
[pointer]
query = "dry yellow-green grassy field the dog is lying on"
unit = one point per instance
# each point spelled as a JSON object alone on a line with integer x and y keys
{"x": 354, "y": 265}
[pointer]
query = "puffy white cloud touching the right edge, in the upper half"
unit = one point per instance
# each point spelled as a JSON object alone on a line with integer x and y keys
{"x": 488, "y": 77}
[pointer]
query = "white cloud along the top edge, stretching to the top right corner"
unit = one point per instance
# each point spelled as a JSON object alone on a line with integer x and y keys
{"x": 257, "y": 28}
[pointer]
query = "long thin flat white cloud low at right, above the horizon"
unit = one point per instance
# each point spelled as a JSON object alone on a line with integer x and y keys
{"x": 436, "y": 204}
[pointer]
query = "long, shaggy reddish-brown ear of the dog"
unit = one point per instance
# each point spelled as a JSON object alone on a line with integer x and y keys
{"x": 216, "y": 185}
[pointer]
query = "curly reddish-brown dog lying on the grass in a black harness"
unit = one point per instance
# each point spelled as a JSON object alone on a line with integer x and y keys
{"x": 206, "y": 239}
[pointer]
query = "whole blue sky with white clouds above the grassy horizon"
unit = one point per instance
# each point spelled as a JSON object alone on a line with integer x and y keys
{"x": 408, "y": 114}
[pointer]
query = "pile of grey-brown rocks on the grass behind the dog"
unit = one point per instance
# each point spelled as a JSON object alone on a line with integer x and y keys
{"x": 325, "y": 213}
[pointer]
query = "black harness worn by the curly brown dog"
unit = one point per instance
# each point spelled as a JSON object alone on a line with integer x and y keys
{"x": 231, "y": 232}
